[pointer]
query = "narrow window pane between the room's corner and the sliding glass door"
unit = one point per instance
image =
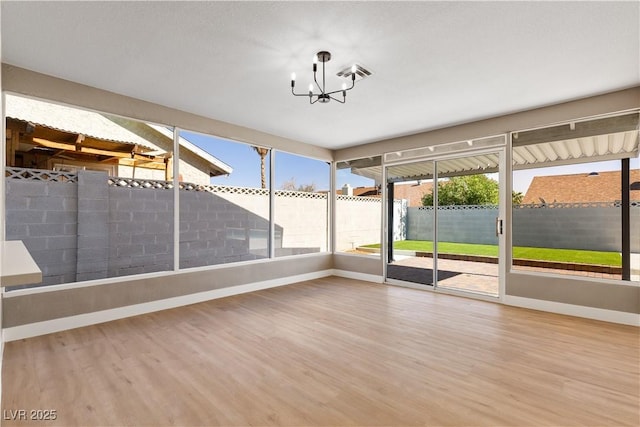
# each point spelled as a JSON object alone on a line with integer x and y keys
{"x": 359, "y": 206}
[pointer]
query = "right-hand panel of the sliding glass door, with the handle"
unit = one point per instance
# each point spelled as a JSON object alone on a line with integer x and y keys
{"x": 468, "y": 223}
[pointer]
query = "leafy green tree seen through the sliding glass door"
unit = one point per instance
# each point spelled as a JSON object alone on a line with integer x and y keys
{"x": 465, "y": 190}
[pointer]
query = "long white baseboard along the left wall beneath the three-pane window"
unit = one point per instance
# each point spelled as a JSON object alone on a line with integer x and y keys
{"x": 80, "y": 320}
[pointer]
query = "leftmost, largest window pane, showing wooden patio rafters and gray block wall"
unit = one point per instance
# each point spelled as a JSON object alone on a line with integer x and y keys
{"x": 91, "y": 201}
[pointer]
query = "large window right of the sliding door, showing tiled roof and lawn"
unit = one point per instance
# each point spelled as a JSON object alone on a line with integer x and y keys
{"x": 576, "y": 204}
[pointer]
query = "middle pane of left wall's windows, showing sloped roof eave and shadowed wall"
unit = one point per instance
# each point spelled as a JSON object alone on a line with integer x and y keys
{"x": 224, "y": 201}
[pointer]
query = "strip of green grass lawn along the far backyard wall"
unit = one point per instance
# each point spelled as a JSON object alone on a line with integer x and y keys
{"x": 543, "y": 254}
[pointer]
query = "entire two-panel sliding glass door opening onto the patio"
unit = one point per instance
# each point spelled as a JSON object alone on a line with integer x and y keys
{"x": 444, "y": 222}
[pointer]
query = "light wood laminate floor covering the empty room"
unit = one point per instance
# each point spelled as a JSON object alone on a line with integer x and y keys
{"x": 331, "y": 352}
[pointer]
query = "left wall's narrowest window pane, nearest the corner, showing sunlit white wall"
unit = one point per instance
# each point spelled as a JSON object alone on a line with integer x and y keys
{"x": 301, "y": 205}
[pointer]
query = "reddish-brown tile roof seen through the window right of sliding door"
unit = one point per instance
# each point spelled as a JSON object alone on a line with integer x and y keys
{"x": 576, "y": 188}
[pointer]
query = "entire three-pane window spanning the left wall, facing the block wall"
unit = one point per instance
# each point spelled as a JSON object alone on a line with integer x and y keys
{"x": 92, "y": 195}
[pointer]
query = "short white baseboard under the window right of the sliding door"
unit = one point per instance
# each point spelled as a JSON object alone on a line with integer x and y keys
{"x": 574, "y": 310}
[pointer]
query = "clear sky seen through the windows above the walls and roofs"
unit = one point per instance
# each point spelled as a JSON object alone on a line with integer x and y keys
{"x": 246, "y": 167}
